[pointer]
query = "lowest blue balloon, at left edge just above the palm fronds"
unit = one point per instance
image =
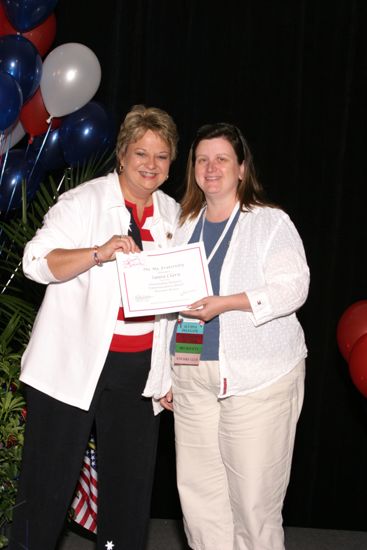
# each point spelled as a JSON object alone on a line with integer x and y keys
{"x": 18, "y": 167}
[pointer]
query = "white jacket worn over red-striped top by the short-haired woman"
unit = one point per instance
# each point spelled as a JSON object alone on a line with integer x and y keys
{"x": 74, "y": 326}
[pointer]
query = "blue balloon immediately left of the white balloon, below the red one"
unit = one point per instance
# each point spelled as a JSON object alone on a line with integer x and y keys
{"x": 20, "y": 58}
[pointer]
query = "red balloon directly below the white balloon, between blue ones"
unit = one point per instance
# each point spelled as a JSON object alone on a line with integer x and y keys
{"x": 33, "y": 116}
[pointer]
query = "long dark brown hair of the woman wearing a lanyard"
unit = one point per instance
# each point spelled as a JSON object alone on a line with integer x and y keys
{"x": 249, "y": 191}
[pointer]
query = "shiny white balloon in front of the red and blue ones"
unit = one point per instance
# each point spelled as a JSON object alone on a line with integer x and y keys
{"x": 71, "y": 75}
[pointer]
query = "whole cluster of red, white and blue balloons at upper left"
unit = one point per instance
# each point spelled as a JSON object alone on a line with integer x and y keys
{"x": 48, "y": 97}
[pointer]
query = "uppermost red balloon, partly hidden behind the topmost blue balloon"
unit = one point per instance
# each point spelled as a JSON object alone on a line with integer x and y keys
{"x": 41, "y": 36}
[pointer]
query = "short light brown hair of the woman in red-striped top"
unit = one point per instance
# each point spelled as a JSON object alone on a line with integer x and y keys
{"x": 140, "y": 119}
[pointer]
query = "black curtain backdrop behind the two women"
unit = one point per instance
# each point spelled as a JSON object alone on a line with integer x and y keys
{"x": 292, "y": 75}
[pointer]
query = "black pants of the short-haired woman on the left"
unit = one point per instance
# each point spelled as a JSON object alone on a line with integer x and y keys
{"x": 56, "y": 437}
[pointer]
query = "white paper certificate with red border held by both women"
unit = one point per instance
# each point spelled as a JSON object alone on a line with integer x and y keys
{"x": 163, "y": 280}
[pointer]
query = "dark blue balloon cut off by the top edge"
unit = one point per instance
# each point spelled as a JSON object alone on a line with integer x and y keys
{"x": 24, "y": 15}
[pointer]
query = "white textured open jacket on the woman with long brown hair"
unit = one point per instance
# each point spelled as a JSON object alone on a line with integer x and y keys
{"x": 265, "y": 259}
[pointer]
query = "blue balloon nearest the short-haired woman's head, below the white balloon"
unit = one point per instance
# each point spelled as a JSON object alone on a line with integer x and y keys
{"x": 86, "y": 132}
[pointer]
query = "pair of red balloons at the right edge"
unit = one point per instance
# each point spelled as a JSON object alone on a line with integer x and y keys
{"x": 352, "y": 342}
